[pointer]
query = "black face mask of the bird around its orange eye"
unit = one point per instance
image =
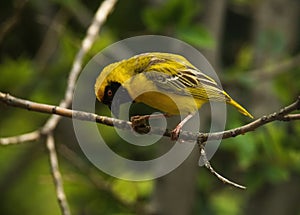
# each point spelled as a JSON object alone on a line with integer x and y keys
{"x": 109, "y": 96}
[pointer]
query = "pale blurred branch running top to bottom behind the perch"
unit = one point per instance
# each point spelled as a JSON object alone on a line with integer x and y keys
{"x": 103, "y": 11}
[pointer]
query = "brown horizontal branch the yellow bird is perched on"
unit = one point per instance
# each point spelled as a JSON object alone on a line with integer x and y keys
{"x": 282, "y": 115}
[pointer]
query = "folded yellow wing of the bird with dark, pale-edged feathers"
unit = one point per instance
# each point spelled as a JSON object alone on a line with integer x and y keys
{"x": 183, "y": 78}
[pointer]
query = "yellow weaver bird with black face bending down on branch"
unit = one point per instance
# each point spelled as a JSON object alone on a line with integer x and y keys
{"x": 167, "y": 82}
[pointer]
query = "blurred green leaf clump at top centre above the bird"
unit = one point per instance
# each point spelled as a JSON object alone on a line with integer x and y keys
{"x": 180, "y": 17}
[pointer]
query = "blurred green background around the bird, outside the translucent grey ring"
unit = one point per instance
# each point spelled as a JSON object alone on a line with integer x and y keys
{"x": 246, "y": 41}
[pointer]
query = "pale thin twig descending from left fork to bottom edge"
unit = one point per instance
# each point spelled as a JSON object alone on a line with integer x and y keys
{"x": 60, "y": 194}
